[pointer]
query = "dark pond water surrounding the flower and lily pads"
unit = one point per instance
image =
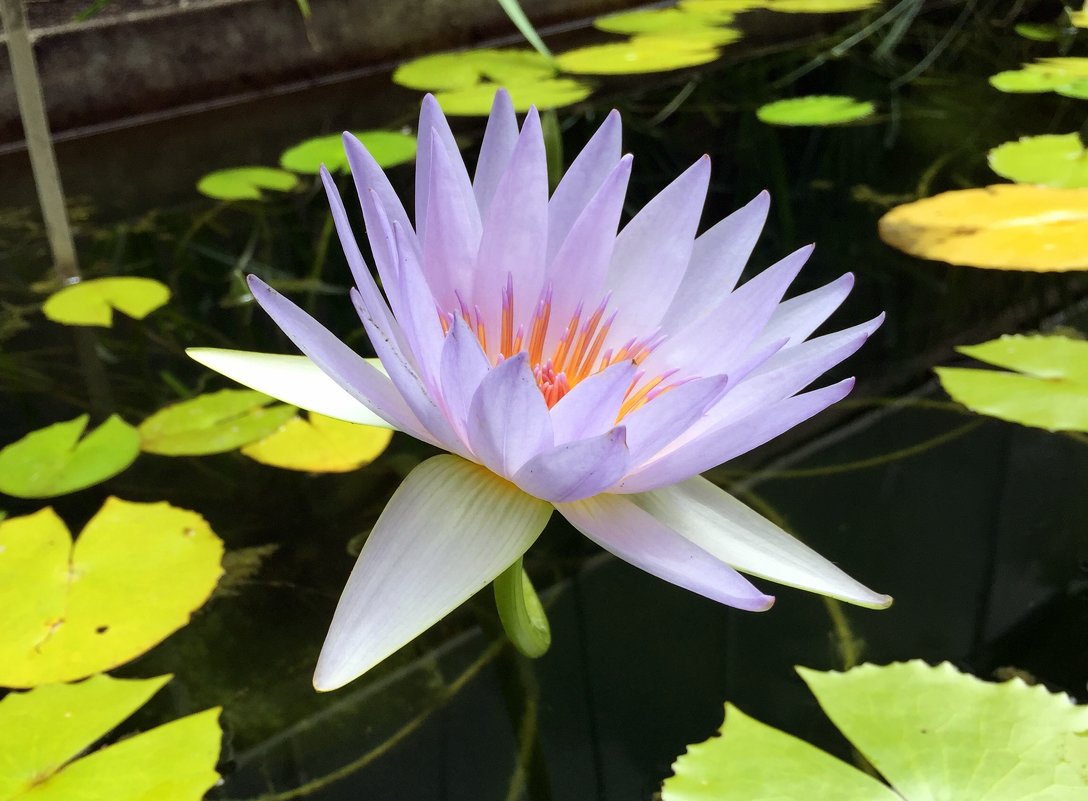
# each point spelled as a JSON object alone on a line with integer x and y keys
{"x": 975, "y": 526}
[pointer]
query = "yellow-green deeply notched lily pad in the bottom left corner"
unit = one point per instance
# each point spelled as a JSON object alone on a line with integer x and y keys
{"x": 44, "y": 732}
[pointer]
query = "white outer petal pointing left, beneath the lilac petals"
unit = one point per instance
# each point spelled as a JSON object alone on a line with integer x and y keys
{"x": 293, "y": 379}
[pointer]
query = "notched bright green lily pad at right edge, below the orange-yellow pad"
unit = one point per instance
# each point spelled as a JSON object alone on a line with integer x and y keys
{"x": 1048, "y": 391}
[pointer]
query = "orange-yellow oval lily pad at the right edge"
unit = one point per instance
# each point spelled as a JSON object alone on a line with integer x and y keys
{"x": 1007, "y": 227}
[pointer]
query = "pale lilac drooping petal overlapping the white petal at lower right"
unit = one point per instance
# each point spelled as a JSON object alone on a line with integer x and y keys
{"x": 635, "y": 536}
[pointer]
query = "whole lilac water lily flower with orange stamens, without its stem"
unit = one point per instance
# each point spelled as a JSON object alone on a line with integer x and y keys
{"x": 564, "y": 367}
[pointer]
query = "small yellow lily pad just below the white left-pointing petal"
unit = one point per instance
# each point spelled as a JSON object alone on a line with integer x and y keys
{"x": 322, "y": 445}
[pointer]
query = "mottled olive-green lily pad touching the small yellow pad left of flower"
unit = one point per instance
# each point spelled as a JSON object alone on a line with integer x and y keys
{"x": 213, "y": 424}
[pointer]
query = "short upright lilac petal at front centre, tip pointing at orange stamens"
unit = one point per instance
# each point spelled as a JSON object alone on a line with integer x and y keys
{"x": 509, "y": 421}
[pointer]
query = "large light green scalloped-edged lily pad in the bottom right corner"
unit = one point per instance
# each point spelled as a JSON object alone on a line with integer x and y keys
{"x": 930, "y": 732}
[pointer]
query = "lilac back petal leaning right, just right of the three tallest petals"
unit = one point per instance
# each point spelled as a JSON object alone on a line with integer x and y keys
{"x": 582, "y": 181}
